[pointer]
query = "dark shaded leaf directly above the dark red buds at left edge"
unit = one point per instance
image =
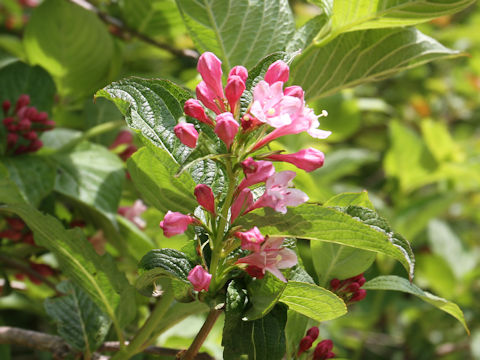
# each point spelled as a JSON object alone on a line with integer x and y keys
{"x": 19, "y": 78}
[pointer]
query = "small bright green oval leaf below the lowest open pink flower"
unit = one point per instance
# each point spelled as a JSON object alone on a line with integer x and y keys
{"x": 313, "y": 301}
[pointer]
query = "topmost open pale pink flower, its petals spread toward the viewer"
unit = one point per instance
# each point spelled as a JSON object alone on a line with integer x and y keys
{"x": 271, "y": 106}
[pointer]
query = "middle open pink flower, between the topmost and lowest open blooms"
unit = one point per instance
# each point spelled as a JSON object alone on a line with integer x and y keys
{"x": 278, "y": 194}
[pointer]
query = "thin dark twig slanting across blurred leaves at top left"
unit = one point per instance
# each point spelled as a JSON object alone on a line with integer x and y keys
{"x": 117, "y": 23}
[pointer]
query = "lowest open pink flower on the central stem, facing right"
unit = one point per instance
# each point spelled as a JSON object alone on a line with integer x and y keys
{"x": 271, "y": 257}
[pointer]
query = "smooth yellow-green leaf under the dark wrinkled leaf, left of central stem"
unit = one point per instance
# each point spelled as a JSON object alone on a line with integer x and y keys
{"x": 152, "y": 171}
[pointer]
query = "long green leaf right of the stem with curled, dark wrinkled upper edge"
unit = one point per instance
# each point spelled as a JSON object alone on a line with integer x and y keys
{"x": 359, "y": 228}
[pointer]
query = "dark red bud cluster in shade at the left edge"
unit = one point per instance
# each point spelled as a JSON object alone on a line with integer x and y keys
{"x": 24, "y": 125}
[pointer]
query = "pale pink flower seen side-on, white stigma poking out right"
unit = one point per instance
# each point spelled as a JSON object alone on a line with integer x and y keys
{"x": 307, "y": 121}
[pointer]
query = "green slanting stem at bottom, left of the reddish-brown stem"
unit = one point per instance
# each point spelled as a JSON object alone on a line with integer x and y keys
{"x": 143, "y": 335}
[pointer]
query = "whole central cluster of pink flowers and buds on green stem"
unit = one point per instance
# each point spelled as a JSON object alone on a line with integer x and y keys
{"x": 275, "y": 111}
